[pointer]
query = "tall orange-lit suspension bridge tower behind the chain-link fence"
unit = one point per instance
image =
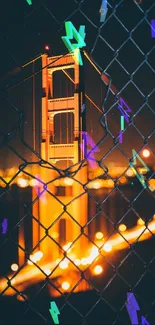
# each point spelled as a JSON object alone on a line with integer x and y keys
{"x": 65, "y": 229}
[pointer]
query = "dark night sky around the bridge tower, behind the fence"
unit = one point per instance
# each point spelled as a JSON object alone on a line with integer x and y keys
{"x": 122, "y": 47}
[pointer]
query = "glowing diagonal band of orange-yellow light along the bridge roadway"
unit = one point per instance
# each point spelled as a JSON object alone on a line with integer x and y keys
{"x": 29, "y": 275}
